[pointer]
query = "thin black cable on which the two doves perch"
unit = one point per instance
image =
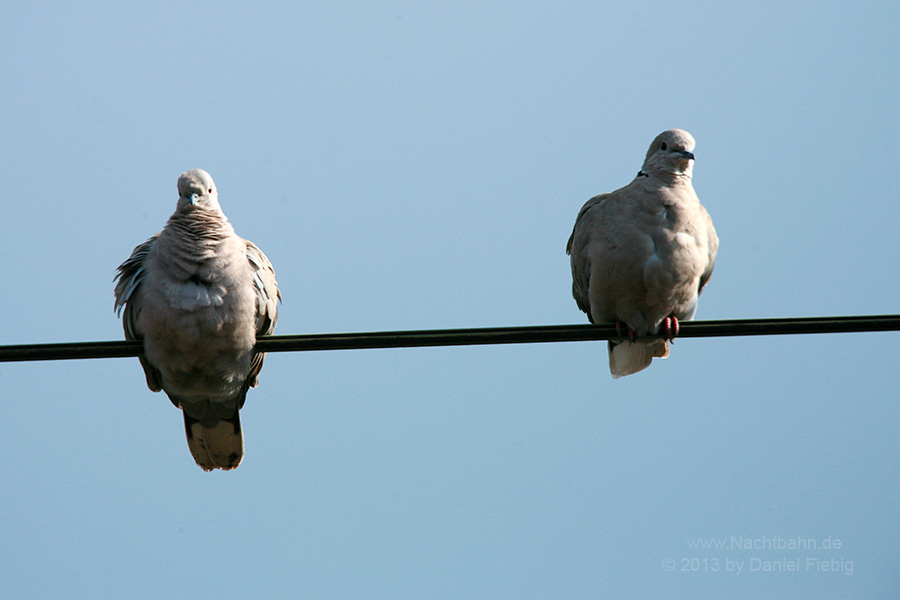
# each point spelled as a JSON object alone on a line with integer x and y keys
{"x": 471, "y": 337}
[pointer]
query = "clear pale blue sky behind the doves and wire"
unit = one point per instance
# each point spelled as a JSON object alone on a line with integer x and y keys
{"x": 417, "y": 165}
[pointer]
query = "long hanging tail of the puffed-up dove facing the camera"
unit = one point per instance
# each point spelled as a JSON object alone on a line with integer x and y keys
{"x": 215, "y": 444}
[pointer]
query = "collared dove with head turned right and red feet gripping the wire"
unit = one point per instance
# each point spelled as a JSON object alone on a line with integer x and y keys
{"x": 642, "y": 254}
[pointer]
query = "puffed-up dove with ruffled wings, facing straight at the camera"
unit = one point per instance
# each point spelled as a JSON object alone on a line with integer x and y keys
{"x": 198, "y": 296}
